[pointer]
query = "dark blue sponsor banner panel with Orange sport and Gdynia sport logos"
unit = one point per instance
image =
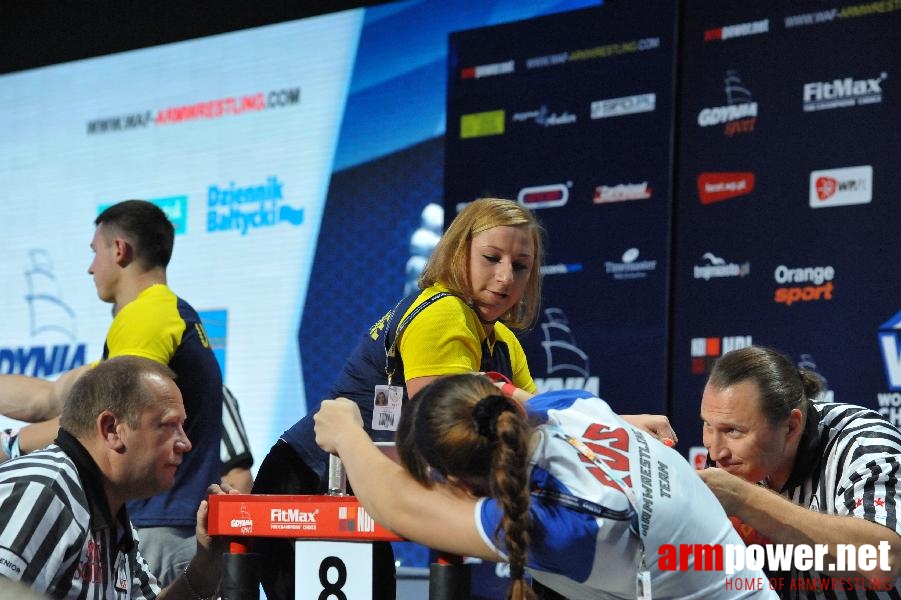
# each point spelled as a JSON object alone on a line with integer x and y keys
{"x": 787, "y": 196}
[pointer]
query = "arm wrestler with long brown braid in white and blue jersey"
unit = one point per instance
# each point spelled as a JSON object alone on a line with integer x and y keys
{"x": 559, "y": 485}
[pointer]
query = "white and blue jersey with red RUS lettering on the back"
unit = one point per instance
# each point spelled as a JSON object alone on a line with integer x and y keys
{"x": 584, "y": 544}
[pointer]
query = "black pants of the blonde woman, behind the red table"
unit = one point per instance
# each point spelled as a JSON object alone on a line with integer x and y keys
{"x": 283, "y": 472}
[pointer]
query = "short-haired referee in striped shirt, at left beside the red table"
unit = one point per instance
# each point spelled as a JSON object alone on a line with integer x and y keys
{"x": 64, "y": 526}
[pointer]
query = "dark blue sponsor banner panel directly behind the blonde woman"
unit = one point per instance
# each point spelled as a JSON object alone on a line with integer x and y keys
{"x": 572, "y": 116}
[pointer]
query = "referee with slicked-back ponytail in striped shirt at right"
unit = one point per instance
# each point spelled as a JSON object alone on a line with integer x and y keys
{"x": 802, "y": 472}
